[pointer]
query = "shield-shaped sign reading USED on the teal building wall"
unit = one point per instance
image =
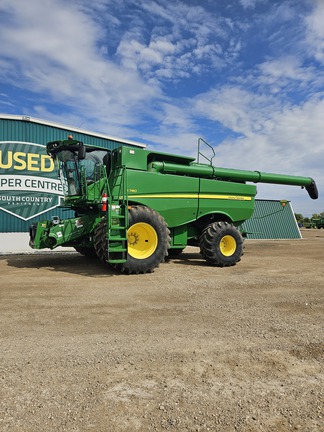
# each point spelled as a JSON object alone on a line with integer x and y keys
{"x": 28, "y": 180}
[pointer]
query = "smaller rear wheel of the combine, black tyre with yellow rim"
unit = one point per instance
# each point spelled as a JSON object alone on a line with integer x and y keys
{"x": 221, "y": 244}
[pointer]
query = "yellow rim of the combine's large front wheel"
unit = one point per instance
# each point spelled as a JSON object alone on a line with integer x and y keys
{"x": 142, "y": 240}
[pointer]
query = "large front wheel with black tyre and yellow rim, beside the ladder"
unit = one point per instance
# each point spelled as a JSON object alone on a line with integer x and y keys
{"x": 148, "y": 240}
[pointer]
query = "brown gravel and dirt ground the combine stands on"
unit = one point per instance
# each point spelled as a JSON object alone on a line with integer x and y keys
{"x": 186, "y": 348}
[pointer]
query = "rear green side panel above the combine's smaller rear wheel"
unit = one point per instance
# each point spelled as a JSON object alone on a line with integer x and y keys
{"x": 235, "y": 200}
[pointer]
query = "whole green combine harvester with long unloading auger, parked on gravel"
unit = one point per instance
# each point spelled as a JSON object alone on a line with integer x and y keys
{"x": 134, "y": 207}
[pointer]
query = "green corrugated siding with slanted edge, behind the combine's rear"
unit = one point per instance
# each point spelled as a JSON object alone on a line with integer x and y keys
{"x": 270, "y": 220}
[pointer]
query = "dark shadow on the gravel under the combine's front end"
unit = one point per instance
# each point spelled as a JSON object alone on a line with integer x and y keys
{"x": 73, "y": 263}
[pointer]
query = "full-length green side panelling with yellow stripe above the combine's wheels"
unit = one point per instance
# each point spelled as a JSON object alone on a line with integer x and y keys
{"x": 183, "y": 199}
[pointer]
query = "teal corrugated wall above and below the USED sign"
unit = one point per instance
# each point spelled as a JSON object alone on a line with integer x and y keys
{"x": 24, "y": 130}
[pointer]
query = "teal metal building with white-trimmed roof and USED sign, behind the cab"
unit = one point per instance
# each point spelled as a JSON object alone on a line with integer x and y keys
{"x": 29, "y": 187}
